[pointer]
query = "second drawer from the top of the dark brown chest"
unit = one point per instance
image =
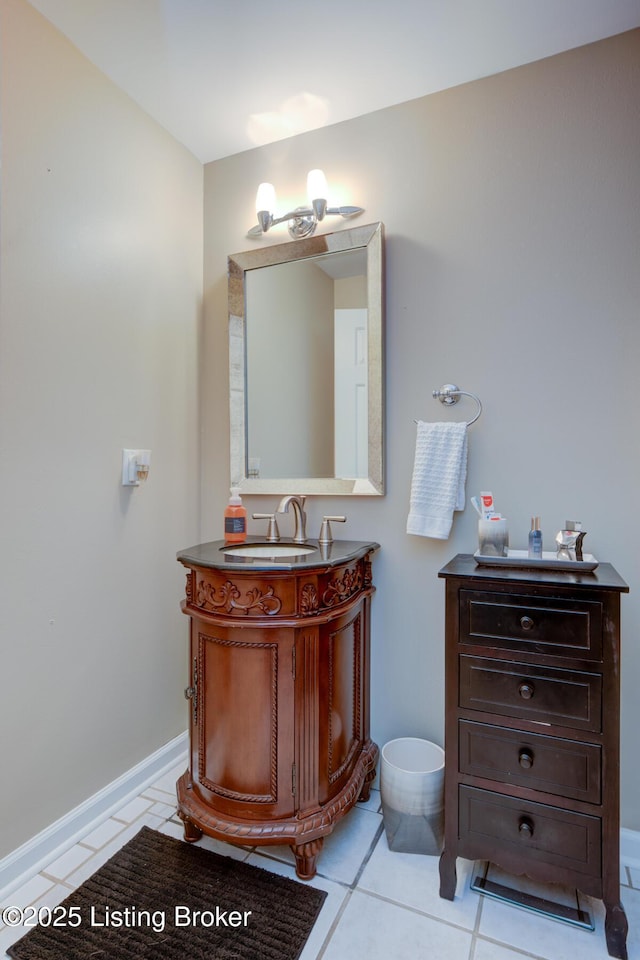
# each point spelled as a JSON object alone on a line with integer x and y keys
{"x": 567, "y": 697}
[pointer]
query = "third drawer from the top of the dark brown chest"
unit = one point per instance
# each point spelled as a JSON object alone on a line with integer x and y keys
{"x": 566, "y": 768}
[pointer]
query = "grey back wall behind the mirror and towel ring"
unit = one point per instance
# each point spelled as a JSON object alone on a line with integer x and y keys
{"x": 511, "y": 208}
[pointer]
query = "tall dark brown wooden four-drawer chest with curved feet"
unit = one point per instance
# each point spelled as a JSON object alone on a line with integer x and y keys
{"x": 532, "y": 727}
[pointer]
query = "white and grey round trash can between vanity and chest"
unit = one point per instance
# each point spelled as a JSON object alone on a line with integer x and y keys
{"x": 412, "y": 791}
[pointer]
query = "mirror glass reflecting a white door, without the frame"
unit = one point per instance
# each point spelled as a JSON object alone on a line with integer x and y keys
{"x": 301, "y": 373}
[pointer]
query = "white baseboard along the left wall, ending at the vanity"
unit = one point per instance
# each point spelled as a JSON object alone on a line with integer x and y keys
{"x": 52, "y": 842}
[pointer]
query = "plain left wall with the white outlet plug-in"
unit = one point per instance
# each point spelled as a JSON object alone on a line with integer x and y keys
{"x": 101, "y": 291}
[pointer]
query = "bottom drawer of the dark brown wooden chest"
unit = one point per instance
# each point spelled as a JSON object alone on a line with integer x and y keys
{"x": 491, "y": 824}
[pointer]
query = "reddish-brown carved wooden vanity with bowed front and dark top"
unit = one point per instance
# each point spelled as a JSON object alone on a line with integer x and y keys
{"x": 279, "y": 694}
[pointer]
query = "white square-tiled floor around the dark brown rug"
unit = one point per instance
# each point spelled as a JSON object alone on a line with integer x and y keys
{"x": 380, "y": 905}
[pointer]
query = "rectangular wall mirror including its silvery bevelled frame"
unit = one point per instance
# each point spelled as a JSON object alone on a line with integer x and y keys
{"x": 306, "y": 365}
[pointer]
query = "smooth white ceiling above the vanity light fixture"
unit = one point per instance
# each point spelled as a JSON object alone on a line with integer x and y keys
{"x": 224, "y": 76}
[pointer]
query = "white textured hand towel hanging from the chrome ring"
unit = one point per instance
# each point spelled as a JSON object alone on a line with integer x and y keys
{"x": 439, "y": 475}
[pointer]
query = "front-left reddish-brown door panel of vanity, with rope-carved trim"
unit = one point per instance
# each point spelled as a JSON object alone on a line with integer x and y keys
{"x": 243, "y": 734}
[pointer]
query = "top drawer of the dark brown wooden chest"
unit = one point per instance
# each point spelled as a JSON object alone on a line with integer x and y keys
{"x": 536, "y": 624}
